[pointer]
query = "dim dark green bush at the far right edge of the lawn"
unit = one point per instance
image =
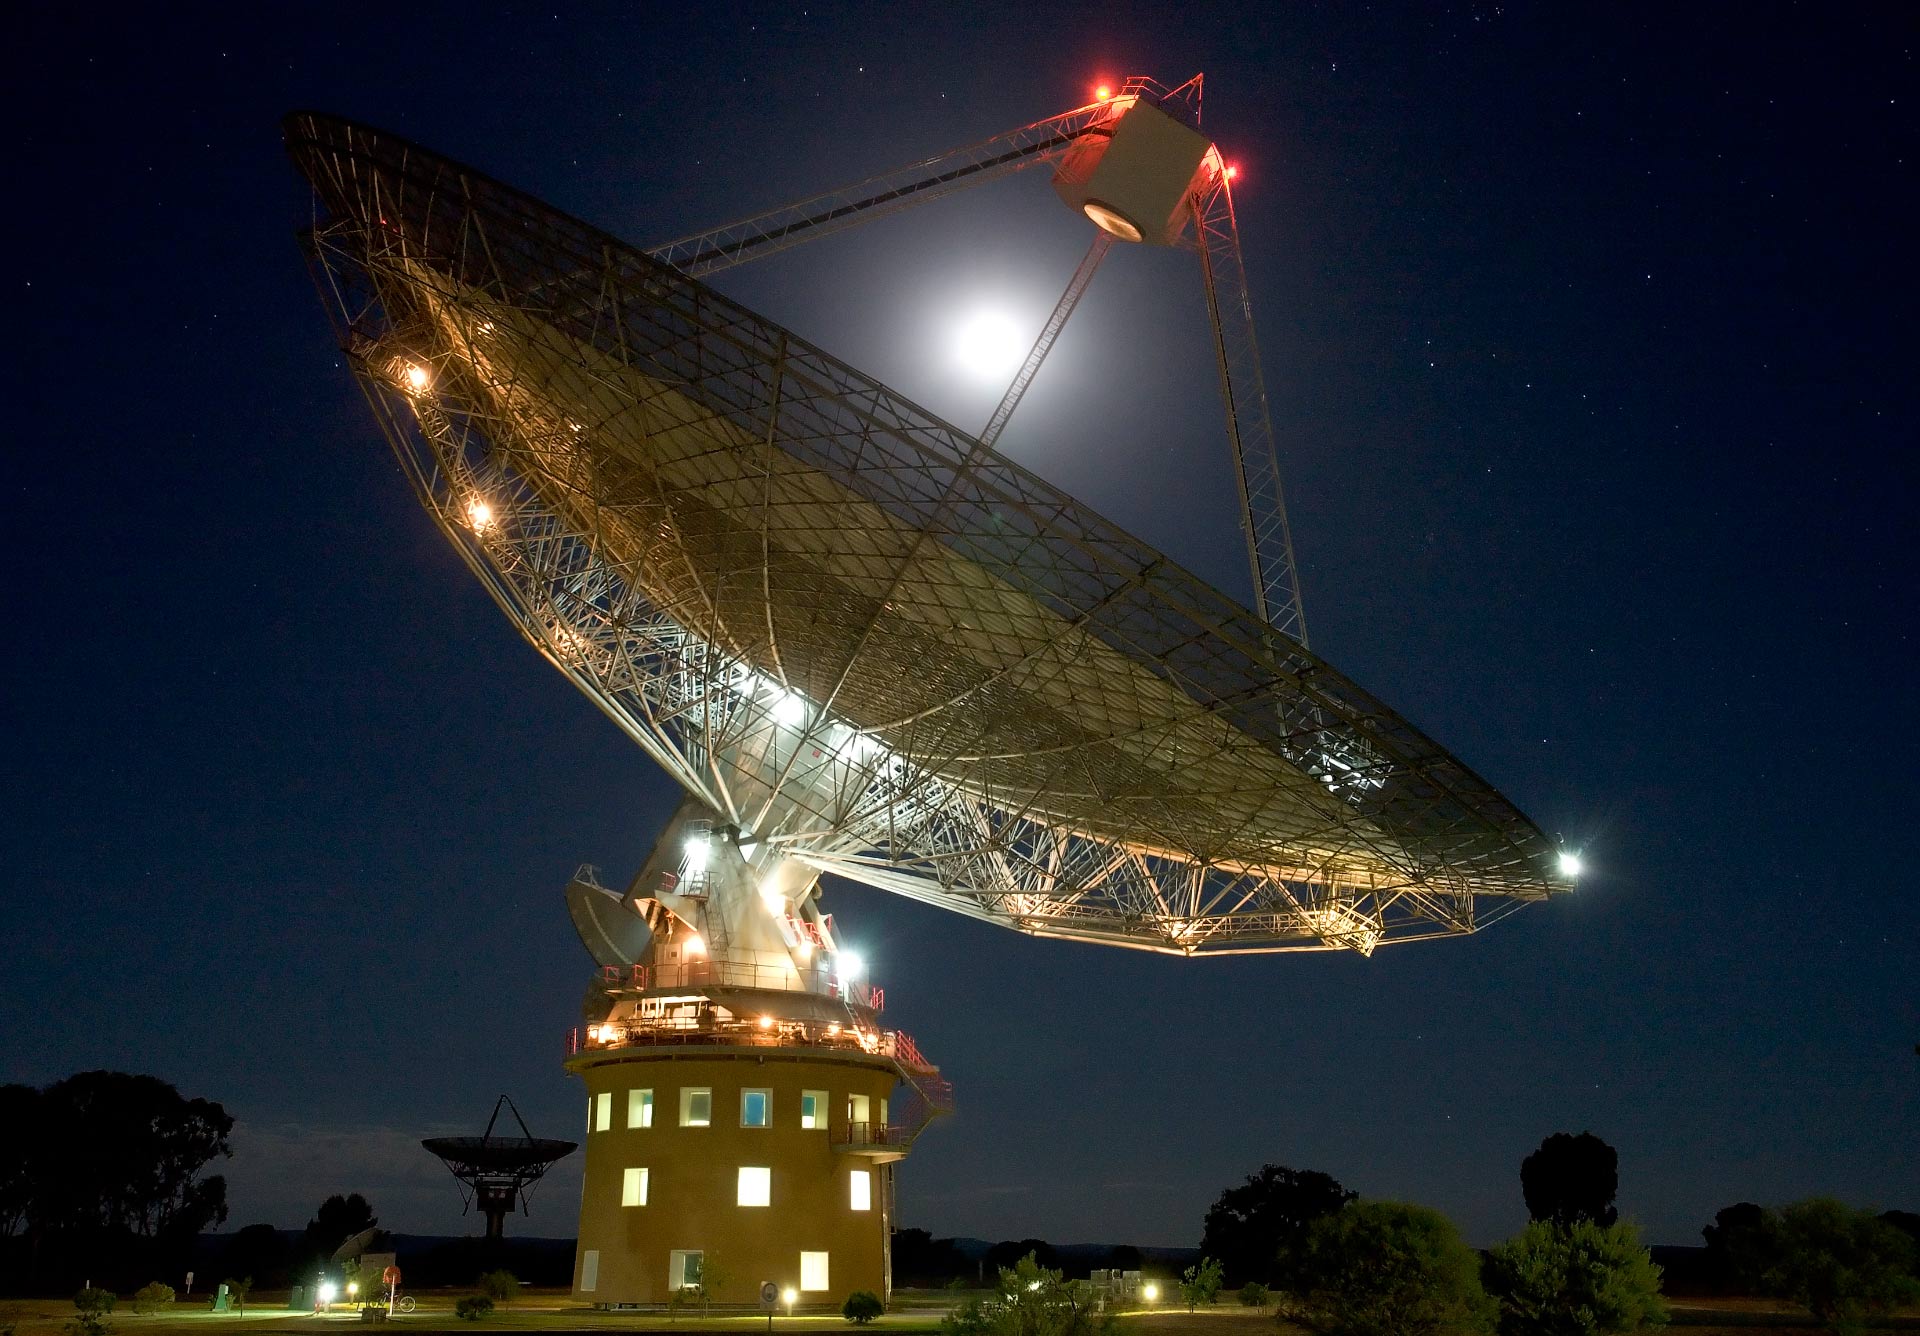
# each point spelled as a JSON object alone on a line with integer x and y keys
{"x": 1838, "y": 1264}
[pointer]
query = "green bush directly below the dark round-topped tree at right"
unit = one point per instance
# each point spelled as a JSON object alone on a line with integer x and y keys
{"x": 1577, "y": 1279}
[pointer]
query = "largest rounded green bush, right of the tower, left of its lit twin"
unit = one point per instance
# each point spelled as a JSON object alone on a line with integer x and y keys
{"x": 1387, "y": 1270}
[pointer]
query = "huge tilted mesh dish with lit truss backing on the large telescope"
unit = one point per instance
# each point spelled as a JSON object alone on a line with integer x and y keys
{"x": 848, "y": 629}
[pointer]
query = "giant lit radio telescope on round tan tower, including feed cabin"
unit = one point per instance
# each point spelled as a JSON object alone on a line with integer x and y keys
{"x": 871, "y": 646}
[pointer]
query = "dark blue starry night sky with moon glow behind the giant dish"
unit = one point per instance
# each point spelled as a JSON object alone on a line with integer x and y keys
{"x": 1591, "y": 345}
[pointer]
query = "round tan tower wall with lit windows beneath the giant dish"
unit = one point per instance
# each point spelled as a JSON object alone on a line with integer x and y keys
{"x": 692, "y": 1176}
